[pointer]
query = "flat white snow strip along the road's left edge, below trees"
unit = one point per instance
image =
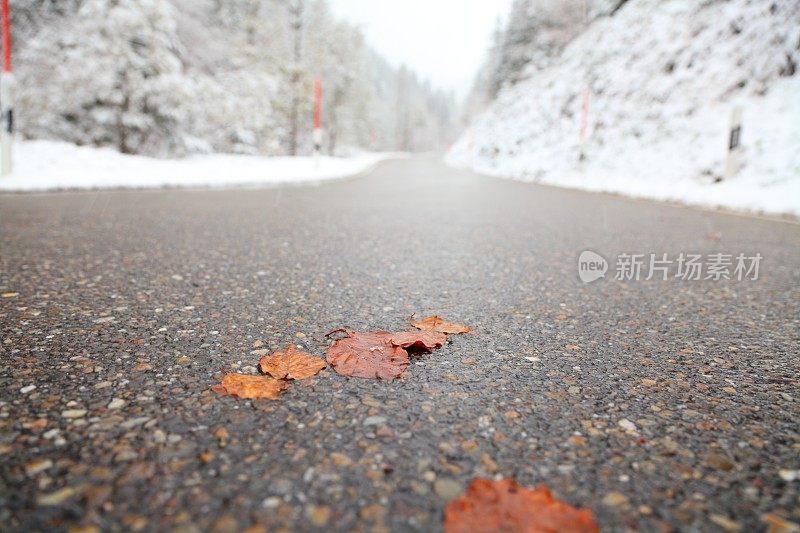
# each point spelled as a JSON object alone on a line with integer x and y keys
{"x": 48, "y": 165}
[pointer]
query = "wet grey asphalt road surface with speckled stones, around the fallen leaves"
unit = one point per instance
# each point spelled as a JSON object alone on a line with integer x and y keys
{"x": 657, "y": 404}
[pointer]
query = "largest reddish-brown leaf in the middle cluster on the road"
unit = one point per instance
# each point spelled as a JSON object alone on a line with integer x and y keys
{"x": 367, "y": 355}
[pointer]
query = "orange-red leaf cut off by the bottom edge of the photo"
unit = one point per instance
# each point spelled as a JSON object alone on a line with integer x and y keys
{"x": 489, "y": 506}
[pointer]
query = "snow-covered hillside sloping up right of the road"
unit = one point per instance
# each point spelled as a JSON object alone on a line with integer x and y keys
{"x": 664, "y": 76}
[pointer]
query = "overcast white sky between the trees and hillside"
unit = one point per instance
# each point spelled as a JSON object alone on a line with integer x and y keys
{"x": 442, "y": 40}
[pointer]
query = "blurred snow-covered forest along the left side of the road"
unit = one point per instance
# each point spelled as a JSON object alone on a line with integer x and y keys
{"x": 171, "y": 77}
